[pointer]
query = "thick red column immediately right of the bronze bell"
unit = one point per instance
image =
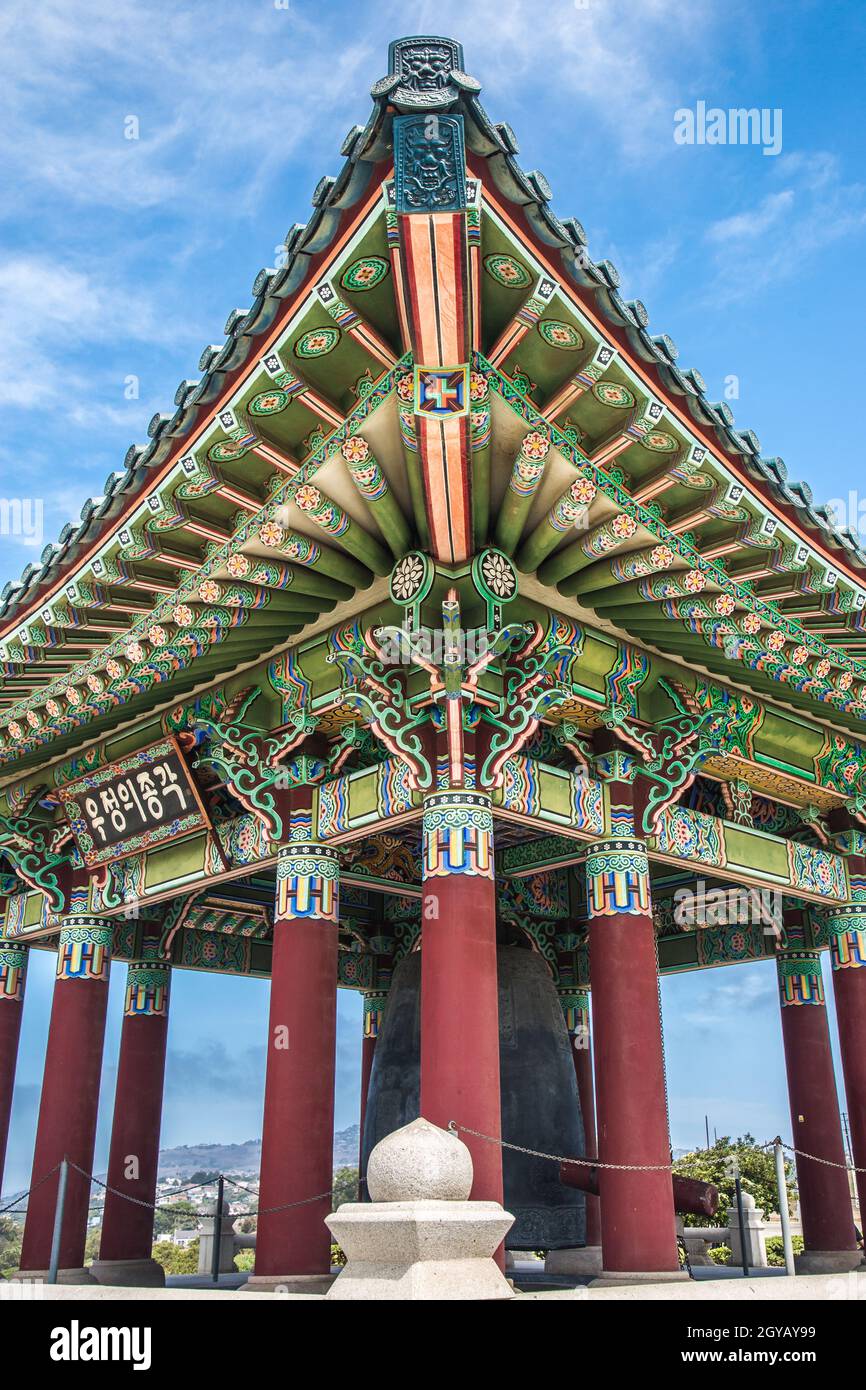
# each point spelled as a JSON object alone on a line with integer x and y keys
{"x": 637, "y": 1220}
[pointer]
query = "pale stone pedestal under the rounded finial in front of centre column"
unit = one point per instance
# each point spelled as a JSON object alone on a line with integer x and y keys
{"x": 423, "y": 1250}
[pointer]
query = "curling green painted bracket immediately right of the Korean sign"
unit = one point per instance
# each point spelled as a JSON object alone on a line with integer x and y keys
{"x": 252, "y": 761}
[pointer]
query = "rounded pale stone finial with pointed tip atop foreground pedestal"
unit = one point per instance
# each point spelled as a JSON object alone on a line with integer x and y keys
{"x": 420, "y": 1163}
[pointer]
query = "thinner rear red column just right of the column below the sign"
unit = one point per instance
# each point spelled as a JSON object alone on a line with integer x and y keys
{"x": 127, "y": 1241}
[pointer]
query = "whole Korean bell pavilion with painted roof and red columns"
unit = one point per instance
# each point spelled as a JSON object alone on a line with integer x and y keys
{"x": 443, "y": 611}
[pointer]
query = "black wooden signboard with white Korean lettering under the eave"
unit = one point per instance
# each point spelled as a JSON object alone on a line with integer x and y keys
{"x": 141, "y": 801}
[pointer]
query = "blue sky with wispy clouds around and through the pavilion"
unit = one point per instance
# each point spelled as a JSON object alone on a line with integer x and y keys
{"x": 123, "y": 258}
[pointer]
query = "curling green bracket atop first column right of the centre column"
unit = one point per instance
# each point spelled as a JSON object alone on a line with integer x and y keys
{"x": 671, "y": 753}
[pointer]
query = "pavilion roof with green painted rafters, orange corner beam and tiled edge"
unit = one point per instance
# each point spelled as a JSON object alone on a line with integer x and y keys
{"x": 582, "y": 451}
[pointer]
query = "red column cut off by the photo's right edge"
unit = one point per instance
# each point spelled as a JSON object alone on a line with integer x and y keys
{"x": 847, "y": 929}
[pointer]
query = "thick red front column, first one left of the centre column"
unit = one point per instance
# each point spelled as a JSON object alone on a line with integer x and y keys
{"x": 294, "y": 1246}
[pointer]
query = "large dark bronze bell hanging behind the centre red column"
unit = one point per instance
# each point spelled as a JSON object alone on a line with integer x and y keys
{"x": 540, "y": 1103}
